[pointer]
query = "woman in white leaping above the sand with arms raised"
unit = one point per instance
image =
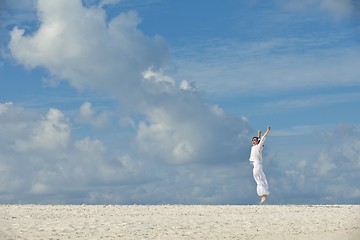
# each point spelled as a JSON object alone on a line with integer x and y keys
{"x": 256, "y": 160}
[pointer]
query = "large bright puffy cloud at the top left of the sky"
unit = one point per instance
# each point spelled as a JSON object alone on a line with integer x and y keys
{"x": 79, "y": 45}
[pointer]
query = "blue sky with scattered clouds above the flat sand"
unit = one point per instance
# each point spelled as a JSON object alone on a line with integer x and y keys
{"x": 155, "y": 102}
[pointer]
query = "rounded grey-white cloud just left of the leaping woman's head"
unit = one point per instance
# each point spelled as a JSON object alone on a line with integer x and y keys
{"x": 186, "y": 129}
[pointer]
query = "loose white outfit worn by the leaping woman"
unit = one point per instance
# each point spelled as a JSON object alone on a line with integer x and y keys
{"x": 262, "y": 187}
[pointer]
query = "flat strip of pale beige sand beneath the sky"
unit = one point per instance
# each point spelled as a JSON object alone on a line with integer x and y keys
{"x": 180, "y": 222}
